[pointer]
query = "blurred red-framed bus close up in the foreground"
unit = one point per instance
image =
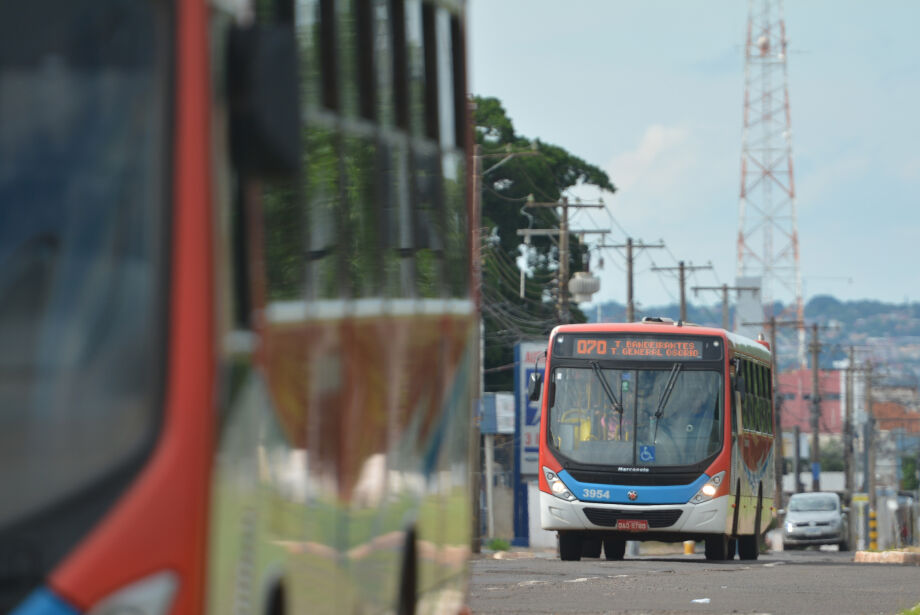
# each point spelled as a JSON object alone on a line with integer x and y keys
{"x": 238, "y": 341}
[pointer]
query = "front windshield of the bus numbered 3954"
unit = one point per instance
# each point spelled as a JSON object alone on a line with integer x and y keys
{"x": 666, "y": 416}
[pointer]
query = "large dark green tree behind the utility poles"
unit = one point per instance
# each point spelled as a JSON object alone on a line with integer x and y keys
{"x": 514, "y": 170}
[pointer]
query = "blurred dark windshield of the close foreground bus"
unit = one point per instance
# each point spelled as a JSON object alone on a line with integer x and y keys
{"x": 84, "y": 145}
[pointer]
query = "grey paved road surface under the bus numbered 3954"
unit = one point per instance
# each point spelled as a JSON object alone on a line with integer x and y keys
{"x": 800, "y": 582}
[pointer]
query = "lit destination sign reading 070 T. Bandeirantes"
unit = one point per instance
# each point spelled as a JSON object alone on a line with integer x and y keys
{"x": 634, "y": 347}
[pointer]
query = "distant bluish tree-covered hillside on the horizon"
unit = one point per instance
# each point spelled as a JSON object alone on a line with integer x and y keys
{"x": 888, "y": 333}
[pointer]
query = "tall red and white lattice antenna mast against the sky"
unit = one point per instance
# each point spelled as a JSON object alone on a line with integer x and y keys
{"x": 768, "y": 242}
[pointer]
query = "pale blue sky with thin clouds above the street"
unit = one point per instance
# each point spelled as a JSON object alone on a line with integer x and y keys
{"x": 652, "y": 92}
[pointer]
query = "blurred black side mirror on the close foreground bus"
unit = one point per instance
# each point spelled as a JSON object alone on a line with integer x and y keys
{"x": 263, "y": 89}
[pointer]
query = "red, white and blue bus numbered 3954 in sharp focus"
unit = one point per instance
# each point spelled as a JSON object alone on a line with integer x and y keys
{"x": 655, "y": 431}
